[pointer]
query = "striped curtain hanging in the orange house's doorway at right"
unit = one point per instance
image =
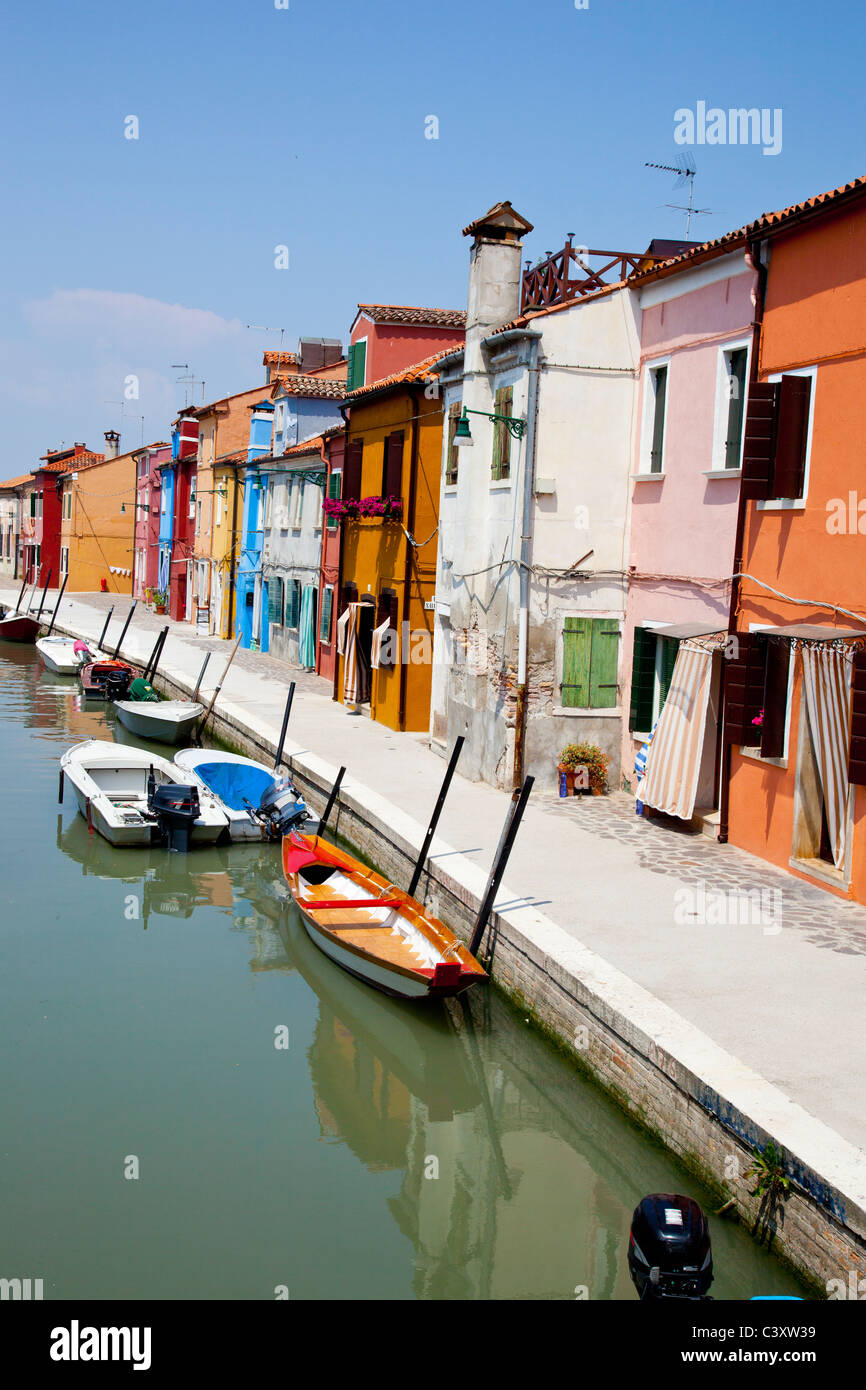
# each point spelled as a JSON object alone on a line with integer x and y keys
{"x": 828, "y": 685}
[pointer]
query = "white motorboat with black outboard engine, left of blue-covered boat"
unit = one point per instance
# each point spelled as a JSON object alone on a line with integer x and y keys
{"x": 134, "y": 797}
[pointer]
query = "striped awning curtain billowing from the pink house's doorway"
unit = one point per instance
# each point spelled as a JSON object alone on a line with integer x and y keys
{"x": 673, "y": 760}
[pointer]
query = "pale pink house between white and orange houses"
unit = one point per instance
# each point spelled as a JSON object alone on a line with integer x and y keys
{"x": 697, "y": 319}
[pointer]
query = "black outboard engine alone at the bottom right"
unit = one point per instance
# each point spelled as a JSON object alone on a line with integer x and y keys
{"x": 669, "y": 1249}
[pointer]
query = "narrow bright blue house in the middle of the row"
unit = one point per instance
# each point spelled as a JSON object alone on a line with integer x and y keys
{"x": 252, "y": 591}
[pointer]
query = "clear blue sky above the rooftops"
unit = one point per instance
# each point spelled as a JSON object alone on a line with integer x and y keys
{"x": 305, "y": 127}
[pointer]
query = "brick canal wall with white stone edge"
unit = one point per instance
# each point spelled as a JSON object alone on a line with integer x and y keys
{"x": 673, "y": 1081}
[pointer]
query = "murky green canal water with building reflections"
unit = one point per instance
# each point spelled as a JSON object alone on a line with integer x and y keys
{"x": 390, "y": 1152}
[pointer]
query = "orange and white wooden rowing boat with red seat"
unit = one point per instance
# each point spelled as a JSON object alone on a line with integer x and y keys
{"x": 373, "y": 929}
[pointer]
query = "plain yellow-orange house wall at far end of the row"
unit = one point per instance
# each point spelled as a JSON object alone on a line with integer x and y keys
{"x": 98, "y": 523}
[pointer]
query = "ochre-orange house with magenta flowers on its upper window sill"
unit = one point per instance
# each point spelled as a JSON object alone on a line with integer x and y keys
{"x": 389, "y": 565}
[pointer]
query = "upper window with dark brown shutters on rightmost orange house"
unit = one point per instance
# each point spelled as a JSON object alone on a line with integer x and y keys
{"x": 776, "y": 443}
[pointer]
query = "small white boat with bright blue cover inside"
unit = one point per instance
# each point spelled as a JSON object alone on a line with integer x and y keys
{"x": 258, "y": 803}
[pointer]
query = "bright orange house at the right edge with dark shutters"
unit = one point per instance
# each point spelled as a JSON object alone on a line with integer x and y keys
{"x": 796, "y": 793}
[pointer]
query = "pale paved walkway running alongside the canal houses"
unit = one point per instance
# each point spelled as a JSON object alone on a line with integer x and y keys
{"x": 779, "y": 983}
